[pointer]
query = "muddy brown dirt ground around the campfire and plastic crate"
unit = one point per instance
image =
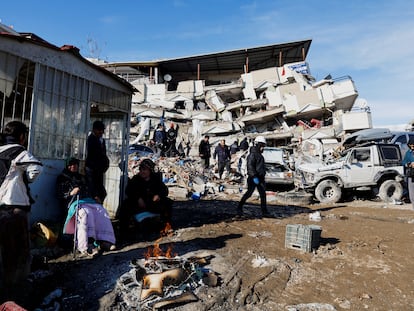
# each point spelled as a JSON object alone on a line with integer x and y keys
{"x": 364, "y": 261}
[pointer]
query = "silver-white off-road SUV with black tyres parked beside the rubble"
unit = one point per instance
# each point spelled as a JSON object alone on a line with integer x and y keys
{"x": 370, "y": 166}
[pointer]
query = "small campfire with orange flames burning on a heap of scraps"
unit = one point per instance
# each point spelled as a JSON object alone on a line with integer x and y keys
{"x": 162, "y": 278}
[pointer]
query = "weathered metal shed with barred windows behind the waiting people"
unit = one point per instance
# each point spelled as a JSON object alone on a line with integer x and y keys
{"x": 59, "y": 94}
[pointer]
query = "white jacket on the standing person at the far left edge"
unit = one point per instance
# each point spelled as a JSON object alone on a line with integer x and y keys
{"x": 14, "y": 190}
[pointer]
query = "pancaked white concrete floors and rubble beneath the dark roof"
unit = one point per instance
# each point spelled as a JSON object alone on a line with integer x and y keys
{"x": 284, "y": 104}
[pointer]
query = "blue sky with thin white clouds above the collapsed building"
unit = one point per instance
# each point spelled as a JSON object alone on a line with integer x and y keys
{"x": 371, "y": 41}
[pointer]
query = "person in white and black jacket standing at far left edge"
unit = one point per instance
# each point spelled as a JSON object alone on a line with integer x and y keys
{"x": 19, "y": 168}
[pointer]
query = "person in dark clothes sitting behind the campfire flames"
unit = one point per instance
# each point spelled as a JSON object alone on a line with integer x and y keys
{"x": 147, "y": 198}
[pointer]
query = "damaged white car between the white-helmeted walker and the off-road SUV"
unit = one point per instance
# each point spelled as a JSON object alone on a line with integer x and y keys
{"x": 278, "y": 171}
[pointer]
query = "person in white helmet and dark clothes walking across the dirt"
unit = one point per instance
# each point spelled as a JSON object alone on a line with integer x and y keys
{"x": 256, "y": 171}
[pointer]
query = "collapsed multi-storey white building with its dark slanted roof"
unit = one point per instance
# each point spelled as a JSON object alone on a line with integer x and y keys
{"x": 267, "y": 90}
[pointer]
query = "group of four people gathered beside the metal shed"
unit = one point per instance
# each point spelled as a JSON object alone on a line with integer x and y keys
{"x": 80, "y": 197}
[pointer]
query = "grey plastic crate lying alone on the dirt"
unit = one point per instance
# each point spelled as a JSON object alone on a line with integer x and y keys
{"x": 303, "y": 237}
